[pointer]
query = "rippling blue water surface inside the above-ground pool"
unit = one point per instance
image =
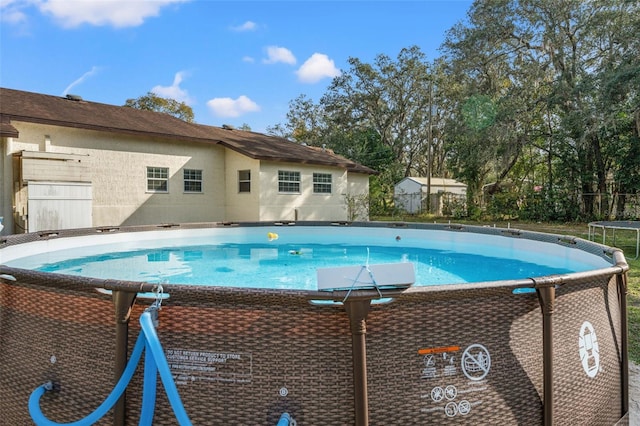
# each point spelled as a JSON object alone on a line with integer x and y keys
{"x": 287, "y": 266}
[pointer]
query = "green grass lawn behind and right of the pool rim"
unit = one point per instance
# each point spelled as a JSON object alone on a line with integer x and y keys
{"x": 625, "y": 240}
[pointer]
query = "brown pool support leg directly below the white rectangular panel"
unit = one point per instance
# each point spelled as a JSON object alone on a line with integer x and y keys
{"x": 358, "y": 311}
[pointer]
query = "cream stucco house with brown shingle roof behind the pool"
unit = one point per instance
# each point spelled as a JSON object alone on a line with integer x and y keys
{"x": 70, "y": 163}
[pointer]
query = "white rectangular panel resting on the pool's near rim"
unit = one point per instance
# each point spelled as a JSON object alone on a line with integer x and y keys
{"x": 386, "y": 275}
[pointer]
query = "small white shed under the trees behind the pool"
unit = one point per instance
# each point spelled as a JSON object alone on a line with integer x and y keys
{"x": 411, "y": 193}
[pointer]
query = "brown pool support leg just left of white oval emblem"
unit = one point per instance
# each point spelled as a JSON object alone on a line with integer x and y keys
{"x": 547, "y": 297}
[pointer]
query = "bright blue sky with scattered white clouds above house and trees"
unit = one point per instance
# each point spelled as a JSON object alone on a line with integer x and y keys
{"x": 233, "y": 62}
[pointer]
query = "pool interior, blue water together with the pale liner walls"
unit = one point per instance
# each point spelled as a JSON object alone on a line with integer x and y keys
{"x": 245, "y": 257}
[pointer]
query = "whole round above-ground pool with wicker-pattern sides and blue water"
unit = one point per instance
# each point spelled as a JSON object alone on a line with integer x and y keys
{"x": 500, "y": 326}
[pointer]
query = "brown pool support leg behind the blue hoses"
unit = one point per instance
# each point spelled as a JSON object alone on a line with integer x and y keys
{"x": 123, "y": 302}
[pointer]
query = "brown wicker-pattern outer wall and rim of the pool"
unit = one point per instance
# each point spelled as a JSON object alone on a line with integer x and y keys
{"x": 456, "y": 354}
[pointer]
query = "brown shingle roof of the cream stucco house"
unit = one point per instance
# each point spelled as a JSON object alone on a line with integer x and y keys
{"x": 68, "y": 112}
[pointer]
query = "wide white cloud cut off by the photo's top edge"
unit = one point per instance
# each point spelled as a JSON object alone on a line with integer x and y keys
{"x": 116, "y": 13}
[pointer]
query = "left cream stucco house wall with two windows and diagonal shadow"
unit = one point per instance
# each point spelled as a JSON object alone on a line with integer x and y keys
{"x": 118, "y": 165}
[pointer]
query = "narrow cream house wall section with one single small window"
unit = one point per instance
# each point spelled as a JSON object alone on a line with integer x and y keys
{"x": 241, "y": 206}
